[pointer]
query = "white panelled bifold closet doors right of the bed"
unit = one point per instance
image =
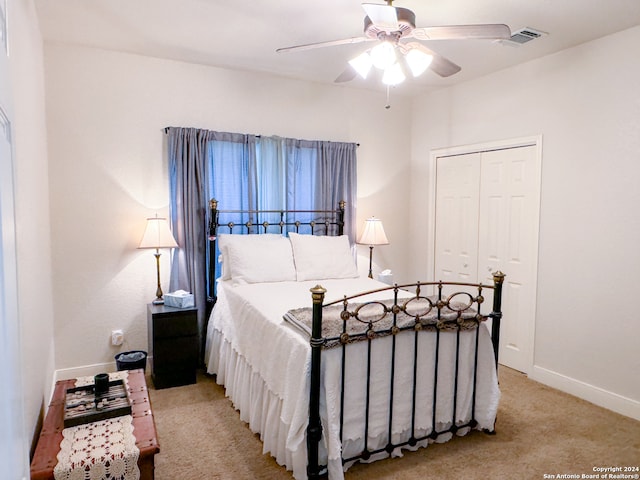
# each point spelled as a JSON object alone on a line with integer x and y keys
{"x": 486, "y": 220}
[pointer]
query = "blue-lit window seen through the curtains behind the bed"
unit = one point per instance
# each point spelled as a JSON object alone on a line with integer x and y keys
{"x": 273, "y": 173}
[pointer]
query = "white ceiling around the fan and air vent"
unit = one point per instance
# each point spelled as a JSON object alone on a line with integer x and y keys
{"x": 244, "y": 34}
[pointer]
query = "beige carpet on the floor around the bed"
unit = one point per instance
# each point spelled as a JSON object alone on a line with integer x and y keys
{"x": 539, "y": 431}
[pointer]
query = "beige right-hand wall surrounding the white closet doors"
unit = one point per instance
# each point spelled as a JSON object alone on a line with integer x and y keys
{"x": 585, "y": 102}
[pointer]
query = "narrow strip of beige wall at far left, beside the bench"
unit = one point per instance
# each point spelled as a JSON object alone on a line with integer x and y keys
{"x": 33, "y": 237}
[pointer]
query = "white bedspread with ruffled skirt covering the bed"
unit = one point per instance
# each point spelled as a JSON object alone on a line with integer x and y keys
{"x": 264, "y": 364}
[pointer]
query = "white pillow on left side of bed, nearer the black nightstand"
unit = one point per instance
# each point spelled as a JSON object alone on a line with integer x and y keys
{"x": 257, "y": 258}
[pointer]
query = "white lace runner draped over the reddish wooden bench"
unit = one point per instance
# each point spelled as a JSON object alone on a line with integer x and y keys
{"x": 103, "y": 450}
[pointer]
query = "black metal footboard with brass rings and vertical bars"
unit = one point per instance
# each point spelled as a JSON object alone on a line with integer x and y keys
{"x": 443, "y": 314}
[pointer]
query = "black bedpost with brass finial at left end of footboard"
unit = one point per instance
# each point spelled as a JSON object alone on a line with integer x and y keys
{"x": 314, "y": 429}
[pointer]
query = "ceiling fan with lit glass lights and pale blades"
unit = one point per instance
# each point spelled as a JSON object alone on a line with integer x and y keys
{"x": 391, "y": 27}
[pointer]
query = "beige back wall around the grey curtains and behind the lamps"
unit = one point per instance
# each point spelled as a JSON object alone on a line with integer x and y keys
{"x": 106, "y": 112}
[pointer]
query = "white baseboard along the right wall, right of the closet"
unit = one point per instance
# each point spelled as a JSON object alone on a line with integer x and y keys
{"x": 596, "y": 395}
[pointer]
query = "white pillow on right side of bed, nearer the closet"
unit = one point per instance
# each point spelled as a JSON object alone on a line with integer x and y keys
{"x": 320, "y": 257}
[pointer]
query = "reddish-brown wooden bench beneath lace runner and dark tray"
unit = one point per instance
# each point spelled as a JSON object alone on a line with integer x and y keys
{"x": 144, "y": 429}
